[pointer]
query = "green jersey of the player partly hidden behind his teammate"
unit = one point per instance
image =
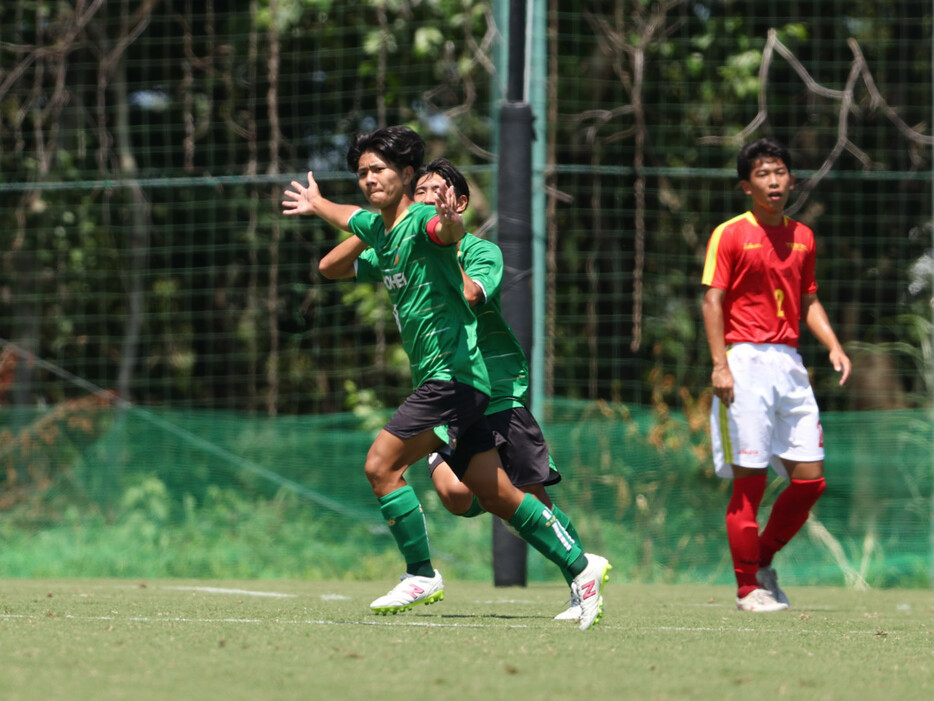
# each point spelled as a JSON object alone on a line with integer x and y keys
{"x": 505, "y": 361}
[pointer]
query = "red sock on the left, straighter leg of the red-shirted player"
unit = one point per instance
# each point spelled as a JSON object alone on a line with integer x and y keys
{"x": 742, "y": 529}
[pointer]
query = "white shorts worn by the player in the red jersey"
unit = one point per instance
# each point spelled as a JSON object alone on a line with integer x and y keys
{"x": 773, "y": 415}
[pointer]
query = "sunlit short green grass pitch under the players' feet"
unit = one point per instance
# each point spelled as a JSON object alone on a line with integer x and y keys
{"x": 184, "y": 639}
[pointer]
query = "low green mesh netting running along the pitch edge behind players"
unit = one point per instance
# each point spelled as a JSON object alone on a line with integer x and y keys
{"x": 209, "y": 493}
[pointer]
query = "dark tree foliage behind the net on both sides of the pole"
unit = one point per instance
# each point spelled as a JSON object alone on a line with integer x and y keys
{"x": 144, "y": 147}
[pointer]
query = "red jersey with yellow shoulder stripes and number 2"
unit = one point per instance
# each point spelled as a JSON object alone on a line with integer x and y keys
{"x": 764, "y": 271}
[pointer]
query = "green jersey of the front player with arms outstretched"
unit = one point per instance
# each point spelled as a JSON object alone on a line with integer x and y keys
{"x": 423, "y": 278}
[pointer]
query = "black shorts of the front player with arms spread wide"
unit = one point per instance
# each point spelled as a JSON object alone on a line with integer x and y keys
{"x": 455, "y": 411}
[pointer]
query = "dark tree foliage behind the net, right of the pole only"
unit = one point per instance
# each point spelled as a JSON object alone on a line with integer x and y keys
{"x": 643, "y": 153}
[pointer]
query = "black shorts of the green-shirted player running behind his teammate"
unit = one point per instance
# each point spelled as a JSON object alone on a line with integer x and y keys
{"x": 522, "y": 448}
